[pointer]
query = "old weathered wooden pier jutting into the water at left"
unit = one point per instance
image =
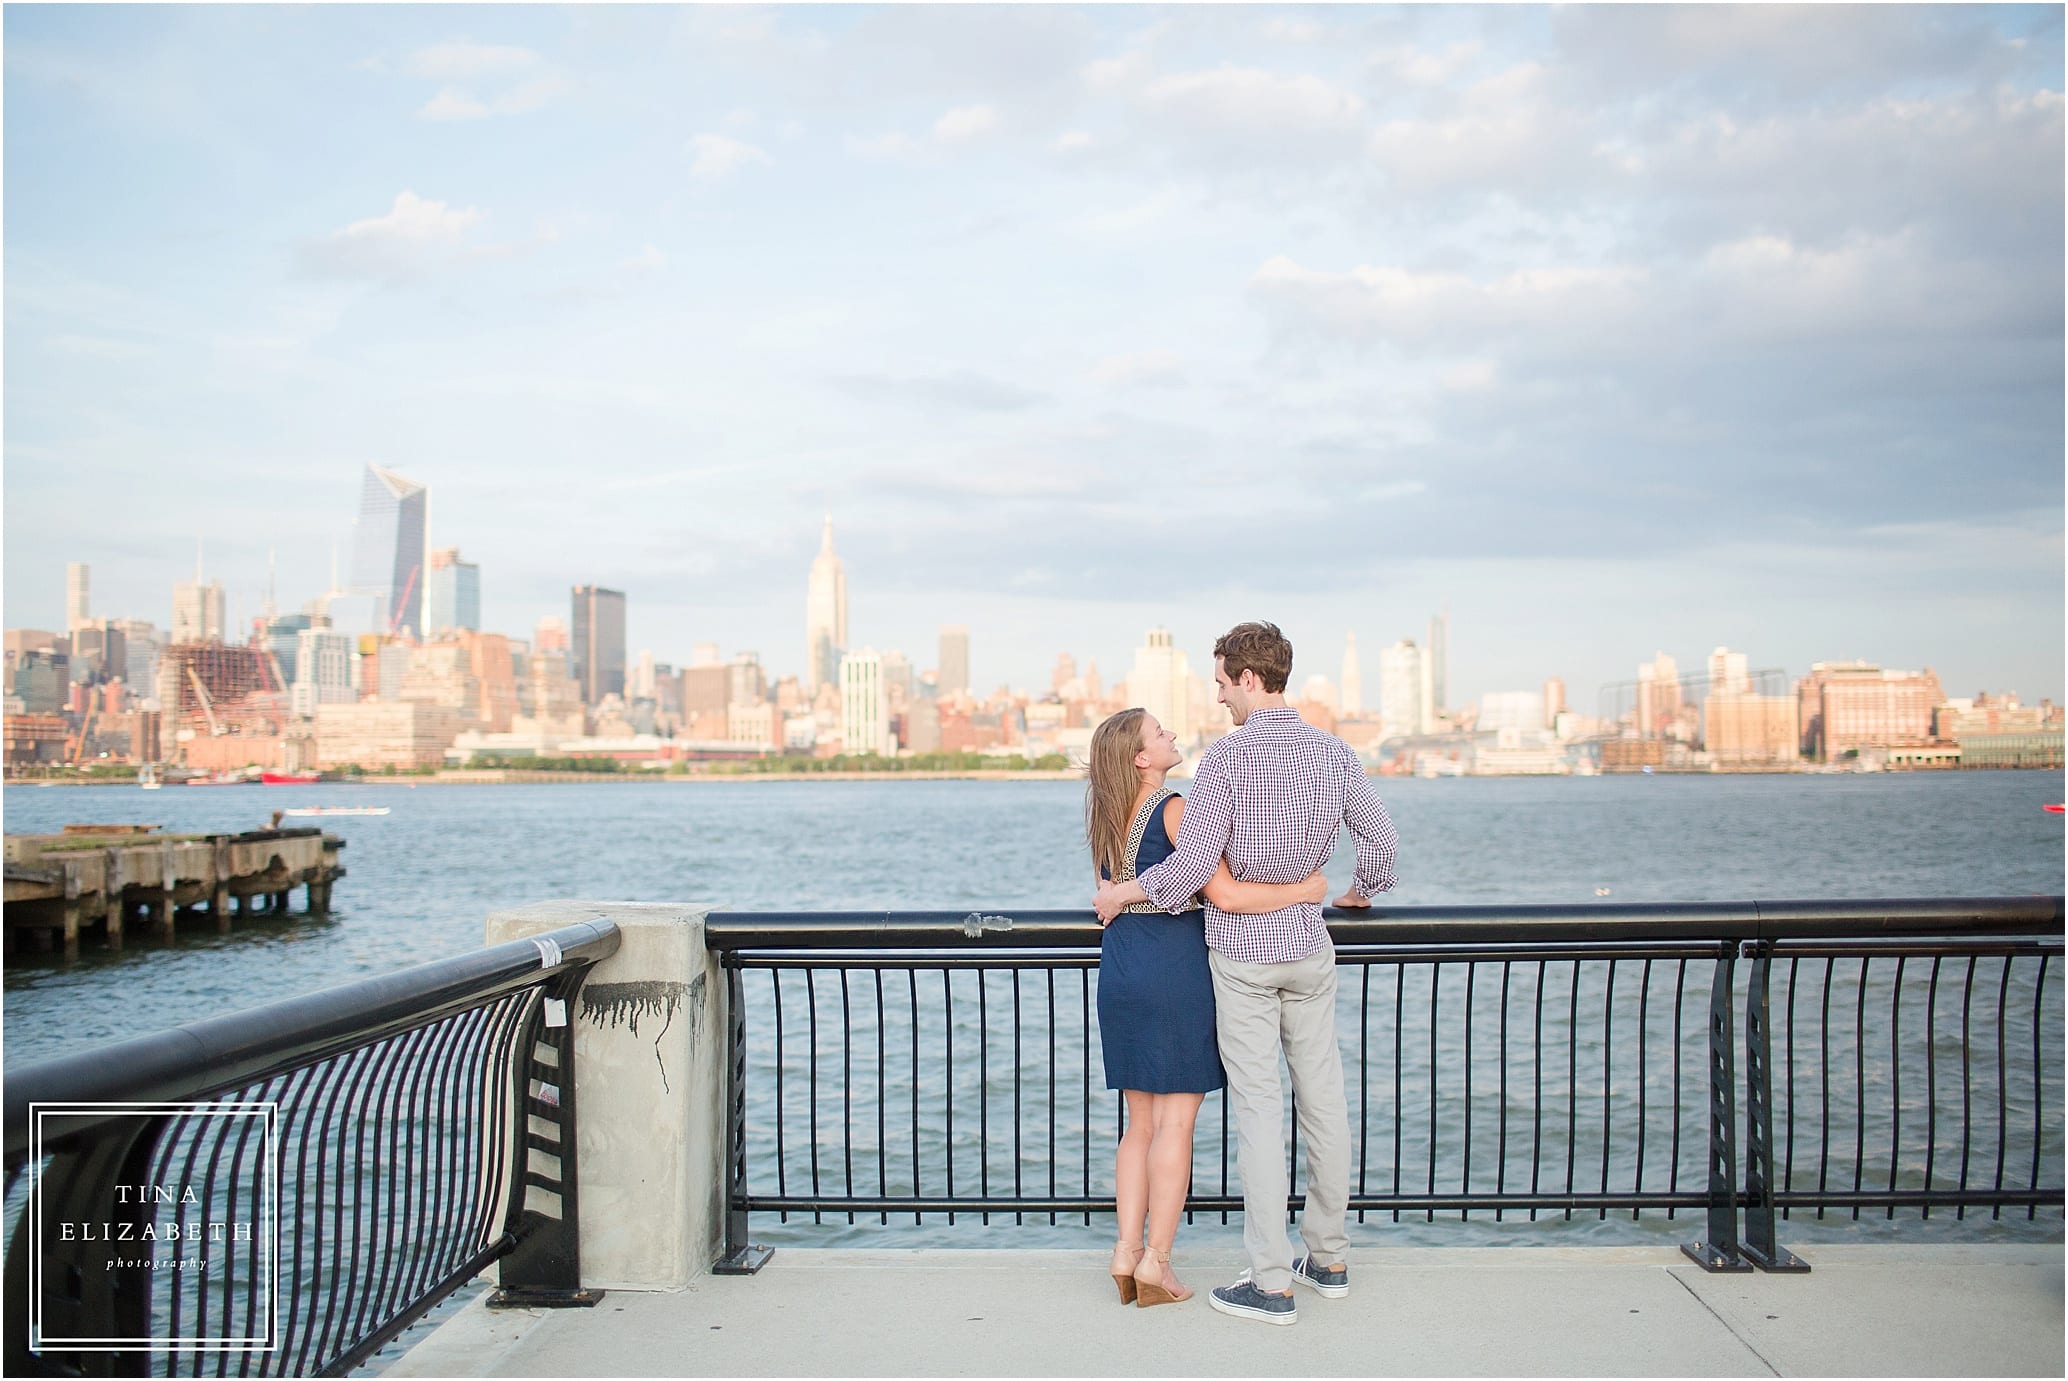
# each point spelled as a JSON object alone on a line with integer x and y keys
{"x": 107, "y": 878}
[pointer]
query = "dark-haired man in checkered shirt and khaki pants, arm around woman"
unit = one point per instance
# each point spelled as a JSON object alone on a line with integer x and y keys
{"x": 1271, "y": 799}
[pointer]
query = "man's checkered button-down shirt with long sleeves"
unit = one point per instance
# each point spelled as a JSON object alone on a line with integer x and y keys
{"x": 1271, "y": 799}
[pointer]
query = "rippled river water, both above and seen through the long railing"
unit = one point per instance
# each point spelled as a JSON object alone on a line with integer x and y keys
{"x": 425, "y": 878}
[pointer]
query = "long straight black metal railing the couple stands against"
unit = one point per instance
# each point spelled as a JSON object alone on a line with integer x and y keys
{"x": 1502, "y": 1062}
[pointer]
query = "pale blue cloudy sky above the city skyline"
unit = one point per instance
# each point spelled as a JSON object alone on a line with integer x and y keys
{"x": 1614, "y": 330}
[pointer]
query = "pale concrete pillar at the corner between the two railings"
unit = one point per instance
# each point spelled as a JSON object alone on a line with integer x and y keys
{"x": 650, "y": 1093}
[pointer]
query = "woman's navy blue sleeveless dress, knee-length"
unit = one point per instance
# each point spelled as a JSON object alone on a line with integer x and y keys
{"x": 1155, "y": 991}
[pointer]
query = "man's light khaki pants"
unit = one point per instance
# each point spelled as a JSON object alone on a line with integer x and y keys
{"x": 1265, "y": 1010}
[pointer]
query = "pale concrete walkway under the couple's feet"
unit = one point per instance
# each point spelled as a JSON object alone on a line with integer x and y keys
{"x": 1864, "y": 1312}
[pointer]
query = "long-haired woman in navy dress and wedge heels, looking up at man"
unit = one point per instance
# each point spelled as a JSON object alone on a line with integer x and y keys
{"x": 1157, "y": 995}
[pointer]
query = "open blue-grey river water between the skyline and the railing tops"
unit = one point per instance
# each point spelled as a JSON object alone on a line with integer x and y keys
{"x": 425, "y": 878}
